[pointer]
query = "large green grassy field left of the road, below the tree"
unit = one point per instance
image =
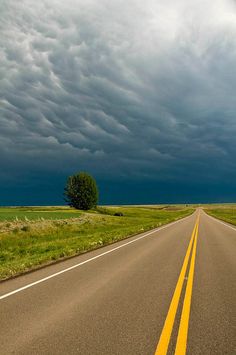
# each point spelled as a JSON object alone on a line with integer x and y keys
{"x": 28, "y": 243}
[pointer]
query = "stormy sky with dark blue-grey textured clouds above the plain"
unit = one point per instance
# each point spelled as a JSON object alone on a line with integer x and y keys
{"x": 140, "y": 94}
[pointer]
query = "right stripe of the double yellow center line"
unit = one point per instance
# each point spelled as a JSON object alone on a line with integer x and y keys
{"x": 181, "y": 344}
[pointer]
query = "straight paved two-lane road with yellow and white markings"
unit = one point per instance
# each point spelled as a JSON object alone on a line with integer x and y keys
{"x": 172, "y": 291}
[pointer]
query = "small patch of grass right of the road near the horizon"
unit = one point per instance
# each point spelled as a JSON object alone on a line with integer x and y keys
{"x": 226, "y": 212}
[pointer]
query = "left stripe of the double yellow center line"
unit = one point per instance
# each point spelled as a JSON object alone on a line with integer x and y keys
{"x": 162, "y": 346}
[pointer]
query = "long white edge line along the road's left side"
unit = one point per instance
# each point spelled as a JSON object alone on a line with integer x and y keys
{"x": 88, "y": 260}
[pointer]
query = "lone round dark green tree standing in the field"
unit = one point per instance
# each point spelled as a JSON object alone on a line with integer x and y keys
{"x": 81, "y": 191}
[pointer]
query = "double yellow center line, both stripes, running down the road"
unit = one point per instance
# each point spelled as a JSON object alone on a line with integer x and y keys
{"x": 181, "y": 344}
